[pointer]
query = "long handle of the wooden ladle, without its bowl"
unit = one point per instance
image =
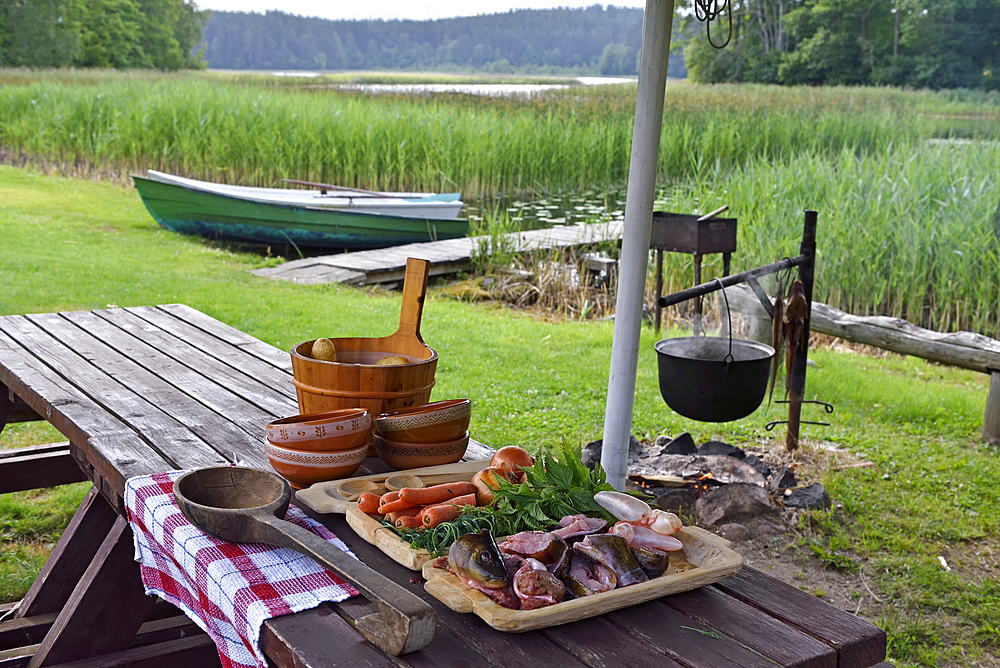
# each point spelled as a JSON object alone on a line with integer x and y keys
{"x": 404, "y": 623}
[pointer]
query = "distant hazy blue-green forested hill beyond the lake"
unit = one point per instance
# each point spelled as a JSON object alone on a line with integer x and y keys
{"x": 593, "y": 40}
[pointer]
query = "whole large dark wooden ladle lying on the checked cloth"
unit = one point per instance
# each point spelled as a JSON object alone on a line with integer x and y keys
{"x": 246, "y": 505}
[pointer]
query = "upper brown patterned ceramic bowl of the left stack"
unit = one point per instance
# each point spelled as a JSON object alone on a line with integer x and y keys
{"x": 340, "y": 430}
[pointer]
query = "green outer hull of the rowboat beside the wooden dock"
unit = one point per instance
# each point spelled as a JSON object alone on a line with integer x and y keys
{"x": 188, "y": 211}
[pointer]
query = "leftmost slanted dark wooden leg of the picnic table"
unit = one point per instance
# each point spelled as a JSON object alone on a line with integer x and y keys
{"x": 69, "y": 559}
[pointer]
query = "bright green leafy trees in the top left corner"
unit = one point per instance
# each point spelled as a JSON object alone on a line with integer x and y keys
{"x": 124, "y": 34}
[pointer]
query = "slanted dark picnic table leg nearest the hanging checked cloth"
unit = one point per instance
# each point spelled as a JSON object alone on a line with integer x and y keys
{"x": 106, "y": 608}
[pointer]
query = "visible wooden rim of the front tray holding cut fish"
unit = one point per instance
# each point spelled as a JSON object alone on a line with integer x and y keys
{"x": 710, "y": 555}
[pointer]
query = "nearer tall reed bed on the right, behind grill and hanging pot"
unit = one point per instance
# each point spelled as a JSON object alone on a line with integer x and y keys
{"x": 911, "y": 234}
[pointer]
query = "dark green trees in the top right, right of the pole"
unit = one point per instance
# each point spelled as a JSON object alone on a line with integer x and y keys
{"x": 916, "y": 43}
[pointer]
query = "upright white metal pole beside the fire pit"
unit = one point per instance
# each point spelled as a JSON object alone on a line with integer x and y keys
{"x": 656, "y": 27}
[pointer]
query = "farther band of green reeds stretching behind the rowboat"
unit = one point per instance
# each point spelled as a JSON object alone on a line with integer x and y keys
{"x": 250, "y": 130}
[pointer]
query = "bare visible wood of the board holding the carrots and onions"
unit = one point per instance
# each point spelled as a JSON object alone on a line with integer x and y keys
{"x": 323, "y": 498}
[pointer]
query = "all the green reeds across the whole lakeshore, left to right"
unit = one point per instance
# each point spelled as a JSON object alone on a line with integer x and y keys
{"x": 906, "y": 229}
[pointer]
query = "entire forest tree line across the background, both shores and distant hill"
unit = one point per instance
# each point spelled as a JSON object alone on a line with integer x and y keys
{"x": 916, "y": 43}
